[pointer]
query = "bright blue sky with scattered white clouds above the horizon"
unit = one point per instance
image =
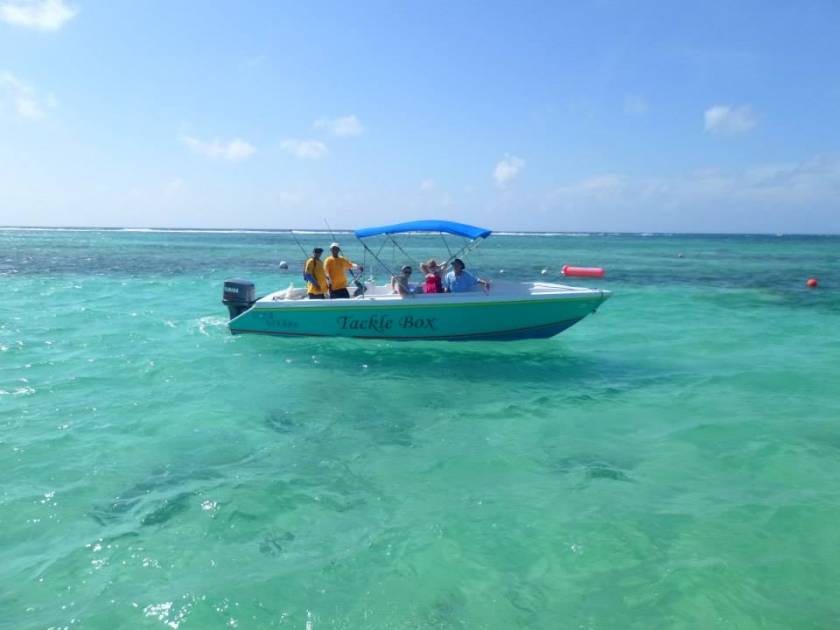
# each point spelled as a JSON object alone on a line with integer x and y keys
{"x": 585, "y": 116}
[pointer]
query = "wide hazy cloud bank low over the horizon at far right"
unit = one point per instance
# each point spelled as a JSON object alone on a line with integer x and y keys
{"x": 763, "y": 197}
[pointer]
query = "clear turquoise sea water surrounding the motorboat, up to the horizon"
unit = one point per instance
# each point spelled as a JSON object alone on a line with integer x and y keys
{"x": 672, "y": 461}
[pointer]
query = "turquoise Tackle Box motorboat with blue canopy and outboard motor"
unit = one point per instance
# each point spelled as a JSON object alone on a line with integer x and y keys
{"x": 507, "y": 311}
